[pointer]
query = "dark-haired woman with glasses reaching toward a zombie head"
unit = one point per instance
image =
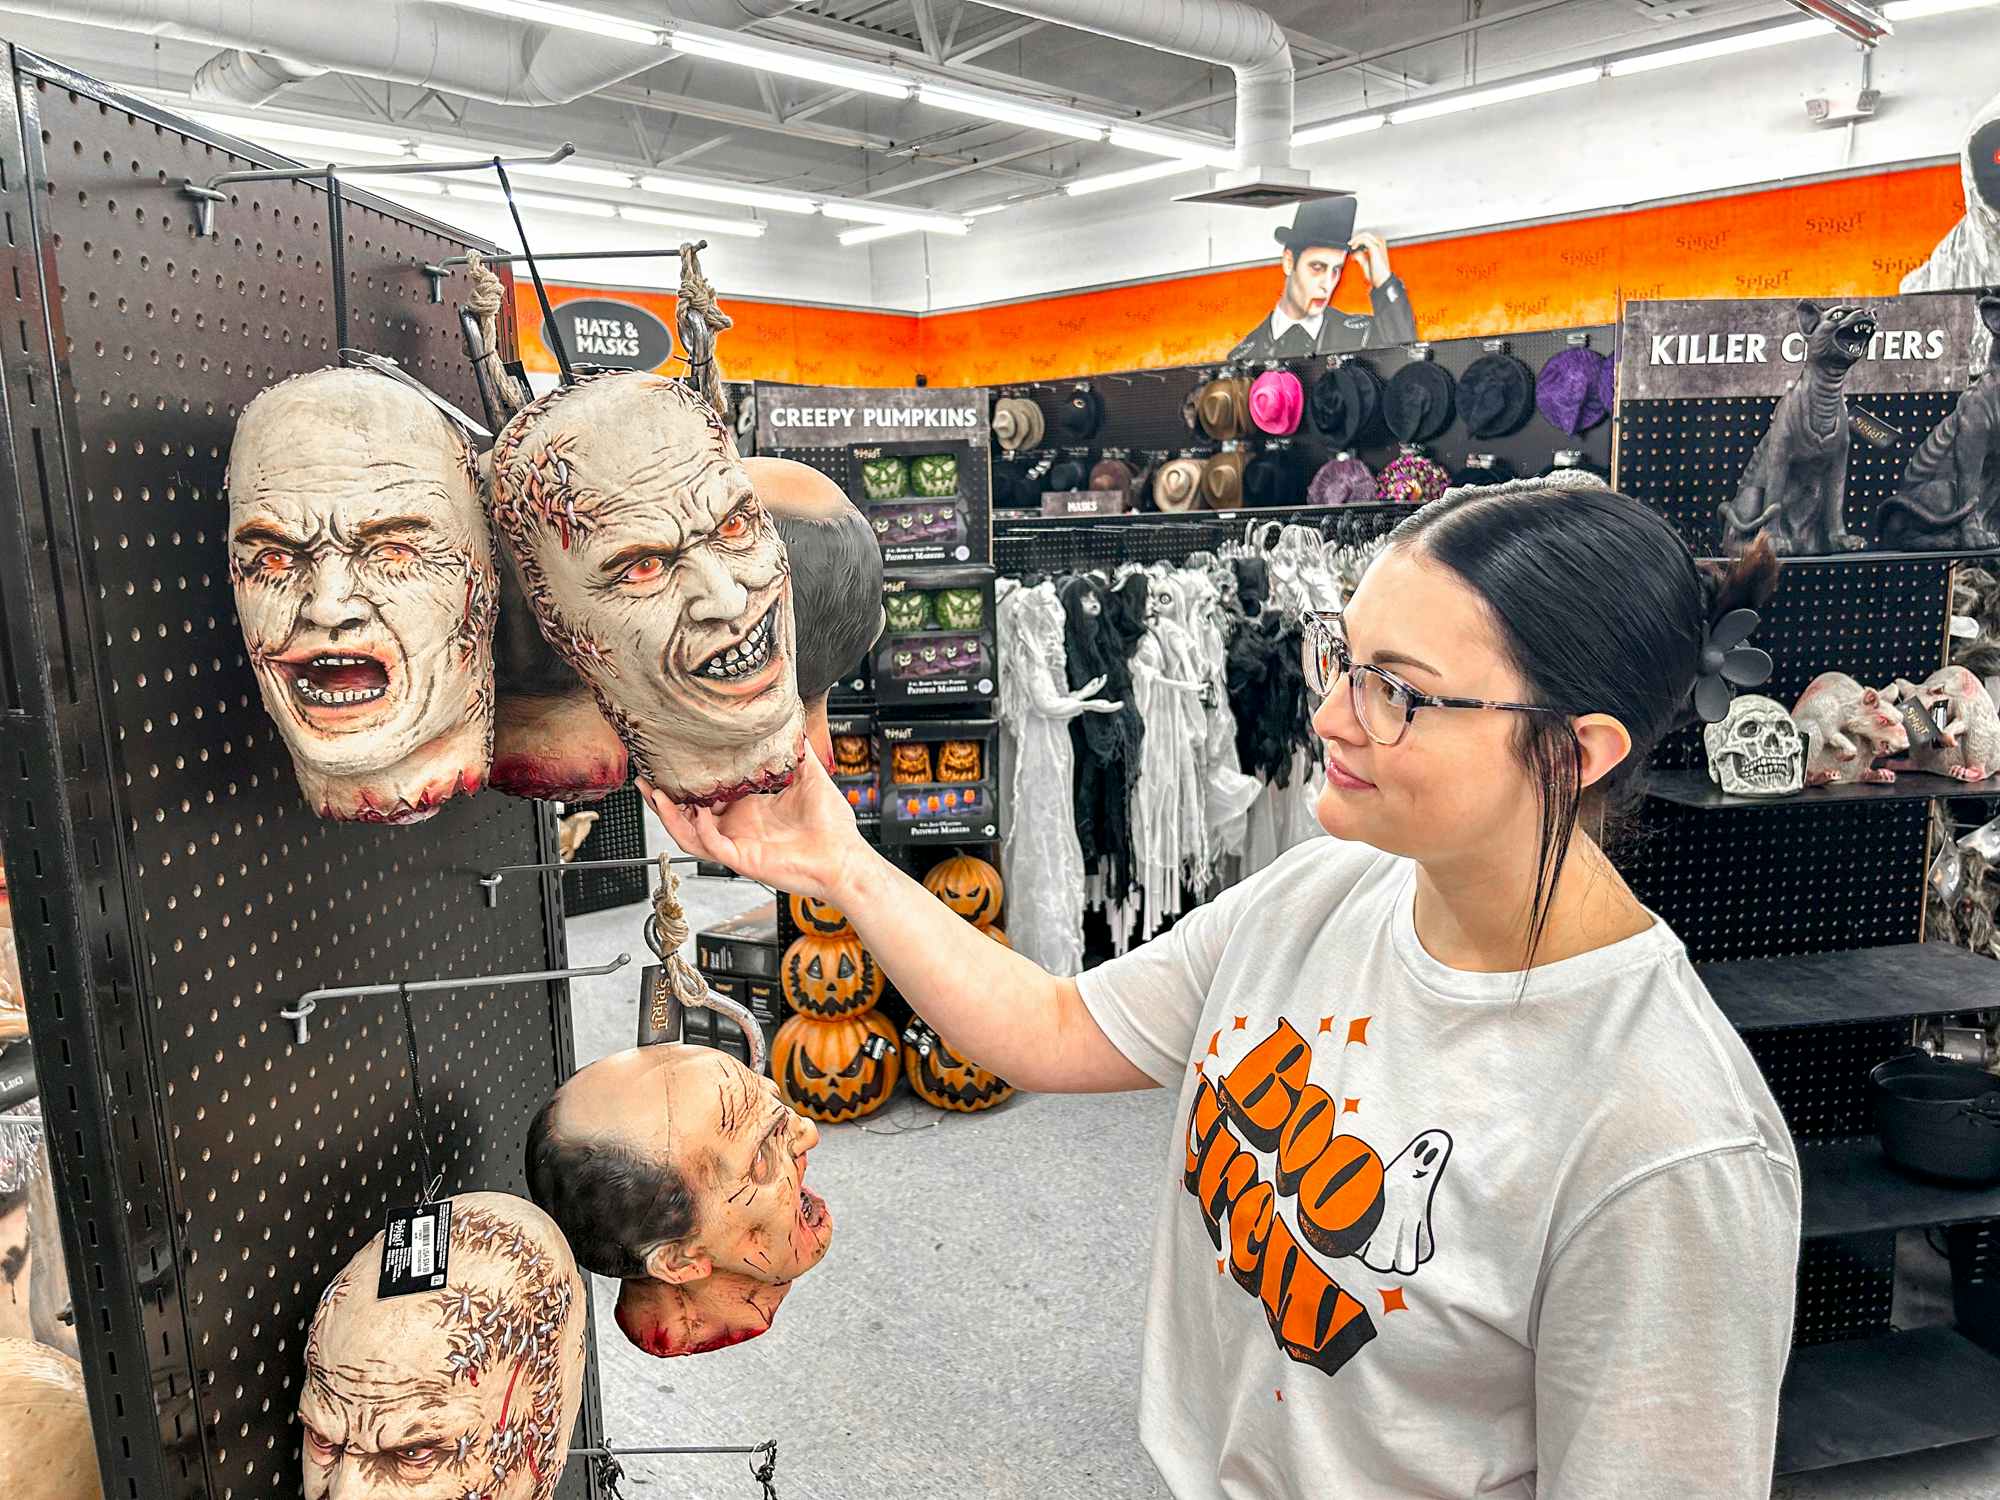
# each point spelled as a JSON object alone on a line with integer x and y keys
{"x": 1473, "y": 1191}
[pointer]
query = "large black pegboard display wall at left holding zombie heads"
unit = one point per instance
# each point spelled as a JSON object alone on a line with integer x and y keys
{"x": 249, "y": 1165}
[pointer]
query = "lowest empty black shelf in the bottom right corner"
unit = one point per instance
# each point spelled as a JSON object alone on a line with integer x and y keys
{"x": 1881, "y": 1397}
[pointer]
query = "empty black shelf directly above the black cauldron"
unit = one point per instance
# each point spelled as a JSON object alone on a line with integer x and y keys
{"x": 1909, "y": 979}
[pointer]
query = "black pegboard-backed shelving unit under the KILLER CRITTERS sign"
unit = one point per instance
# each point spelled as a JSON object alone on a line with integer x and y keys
{"x": 1805, "y": 917}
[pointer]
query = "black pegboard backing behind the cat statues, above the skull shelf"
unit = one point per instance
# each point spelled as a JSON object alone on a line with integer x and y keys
{"x": 1687, "y": 457}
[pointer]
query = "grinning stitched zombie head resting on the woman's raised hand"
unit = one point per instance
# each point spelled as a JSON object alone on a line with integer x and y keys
{"x": 659, "y": 575}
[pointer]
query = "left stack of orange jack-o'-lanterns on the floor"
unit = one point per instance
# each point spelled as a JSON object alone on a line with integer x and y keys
{"x": 837, "y": 1057}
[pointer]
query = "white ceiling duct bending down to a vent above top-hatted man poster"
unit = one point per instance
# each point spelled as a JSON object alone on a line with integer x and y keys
{"x": 1225, "y": 33}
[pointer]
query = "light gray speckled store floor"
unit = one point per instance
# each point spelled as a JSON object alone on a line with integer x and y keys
{"x": 975, "y": 1329}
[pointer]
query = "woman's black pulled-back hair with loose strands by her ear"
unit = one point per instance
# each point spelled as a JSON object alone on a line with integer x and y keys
{"x": 1603, "y": 611}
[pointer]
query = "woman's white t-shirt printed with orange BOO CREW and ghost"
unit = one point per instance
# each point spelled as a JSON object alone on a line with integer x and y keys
{"x": 1419, "y": 1239}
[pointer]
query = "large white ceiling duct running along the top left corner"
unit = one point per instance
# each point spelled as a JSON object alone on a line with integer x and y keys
{"x": 465, "y": 53}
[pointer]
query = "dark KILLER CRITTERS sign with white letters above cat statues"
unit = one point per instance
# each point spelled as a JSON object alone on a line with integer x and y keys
{"x": 1757, "y": 349}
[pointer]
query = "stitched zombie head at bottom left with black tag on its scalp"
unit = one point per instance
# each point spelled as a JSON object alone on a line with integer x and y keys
{"x": 471, "y": 1389}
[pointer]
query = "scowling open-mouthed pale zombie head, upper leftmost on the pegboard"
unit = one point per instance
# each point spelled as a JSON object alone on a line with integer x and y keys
{"x": 367, "y": 593}
